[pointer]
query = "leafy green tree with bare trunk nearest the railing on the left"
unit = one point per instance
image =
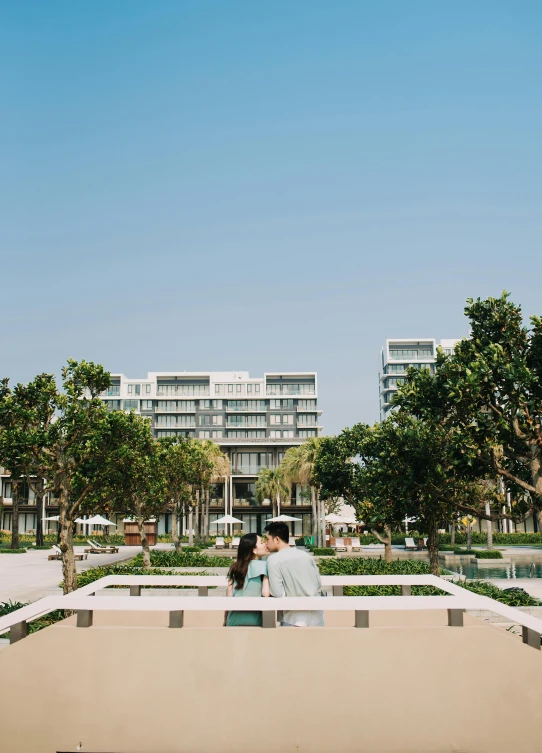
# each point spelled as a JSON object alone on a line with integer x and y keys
{"x": 63, "y": 434}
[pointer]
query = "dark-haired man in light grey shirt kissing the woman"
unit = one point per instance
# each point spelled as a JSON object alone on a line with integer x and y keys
{"x": 292, "y": 573}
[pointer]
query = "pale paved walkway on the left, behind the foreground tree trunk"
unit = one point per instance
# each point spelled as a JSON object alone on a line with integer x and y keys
{"x": 30, "y": 576}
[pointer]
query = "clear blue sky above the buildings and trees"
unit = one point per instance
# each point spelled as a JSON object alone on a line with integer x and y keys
{"x": 240, "y": 185}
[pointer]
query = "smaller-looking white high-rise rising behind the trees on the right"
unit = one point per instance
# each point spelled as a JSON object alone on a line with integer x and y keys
{"x": 397, "y": 356}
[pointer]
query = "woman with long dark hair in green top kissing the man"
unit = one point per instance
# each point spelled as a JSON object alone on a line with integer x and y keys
{"x": 248, "y": 577}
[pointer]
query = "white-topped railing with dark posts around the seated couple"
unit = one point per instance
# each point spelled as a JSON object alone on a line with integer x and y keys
{"x": 84, "y": 602}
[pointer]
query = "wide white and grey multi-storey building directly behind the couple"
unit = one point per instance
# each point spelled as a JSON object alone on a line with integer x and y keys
{"x": 253, "y": 420}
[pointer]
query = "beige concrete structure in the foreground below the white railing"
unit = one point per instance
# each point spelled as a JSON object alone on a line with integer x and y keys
{"x": 405, "y": 685}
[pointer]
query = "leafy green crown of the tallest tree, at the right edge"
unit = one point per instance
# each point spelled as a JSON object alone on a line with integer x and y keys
{"x": 489, "y": 392}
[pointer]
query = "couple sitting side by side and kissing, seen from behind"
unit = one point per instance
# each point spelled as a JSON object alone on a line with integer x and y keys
{"x": 287, "y": 571}
